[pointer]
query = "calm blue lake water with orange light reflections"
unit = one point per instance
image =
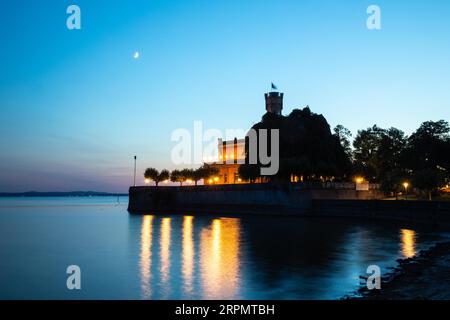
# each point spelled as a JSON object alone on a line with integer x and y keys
{"x": 125, "y": 256}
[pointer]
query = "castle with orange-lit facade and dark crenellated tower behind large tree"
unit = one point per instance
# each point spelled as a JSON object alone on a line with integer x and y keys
{"x": 232, "y": 153}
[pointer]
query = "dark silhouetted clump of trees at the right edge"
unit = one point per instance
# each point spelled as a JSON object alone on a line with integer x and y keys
{"x": 389, "y": 157}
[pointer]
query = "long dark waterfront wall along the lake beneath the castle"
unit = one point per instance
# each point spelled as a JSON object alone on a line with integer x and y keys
{"x": 264, "y": 199}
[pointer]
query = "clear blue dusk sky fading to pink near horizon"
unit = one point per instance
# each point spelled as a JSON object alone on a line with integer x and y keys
{"x": 75, "y": 106}
